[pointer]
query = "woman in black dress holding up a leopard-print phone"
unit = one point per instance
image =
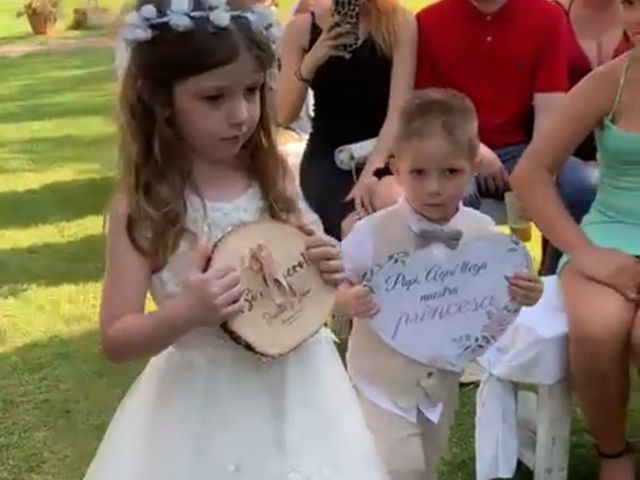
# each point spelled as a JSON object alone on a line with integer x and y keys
{"x": 360, "y": 70}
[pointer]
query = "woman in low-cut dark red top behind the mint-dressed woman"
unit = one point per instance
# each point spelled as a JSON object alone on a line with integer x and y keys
{"x": 596, "y": 36}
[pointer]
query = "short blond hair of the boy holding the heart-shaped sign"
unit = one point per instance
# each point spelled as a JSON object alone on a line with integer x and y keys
{"x": 440, "y": 111}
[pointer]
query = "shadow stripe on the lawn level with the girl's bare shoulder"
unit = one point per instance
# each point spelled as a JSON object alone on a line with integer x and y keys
{"x": 54, "y": 202}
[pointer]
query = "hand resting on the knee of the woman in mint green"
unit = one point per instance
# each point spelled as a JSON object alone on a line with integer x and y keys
{"x": 610, "y": 267}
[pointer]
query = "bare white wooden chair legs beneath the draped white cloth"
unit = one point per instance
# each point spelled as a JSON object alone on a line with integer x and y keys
{"x": 544, "y": 430}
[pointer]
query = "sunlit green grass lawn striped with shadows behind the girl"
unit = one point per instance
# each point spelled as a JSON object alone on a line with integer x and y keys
{"x": 57, "y": 159}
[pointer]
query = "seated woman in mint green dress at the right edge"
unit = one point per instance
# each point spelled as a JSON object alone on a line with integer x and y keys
{"x": 600, "y": 274}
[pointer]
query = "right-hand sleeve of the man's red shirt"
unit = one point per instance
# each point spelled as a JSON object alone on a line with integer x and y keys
{"x": 553, "y": 54}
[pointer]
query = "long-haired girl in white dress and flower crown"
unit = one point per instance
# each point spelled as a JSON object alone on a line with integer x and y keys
{"x": 199, "y": 158}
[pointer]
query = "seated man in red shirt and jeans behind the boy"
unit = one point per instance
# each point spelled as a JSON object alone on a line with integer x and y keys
{"x": 509, "y": 58}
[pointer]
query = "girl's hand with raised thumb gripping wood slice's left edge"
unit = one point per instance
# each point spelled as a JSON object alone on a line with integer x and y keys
{"x": 211, "y": 296}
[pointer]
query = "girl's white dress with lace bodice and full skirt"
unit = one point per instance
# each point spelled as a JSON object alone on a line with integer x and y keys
{"x": 205, "y": 409}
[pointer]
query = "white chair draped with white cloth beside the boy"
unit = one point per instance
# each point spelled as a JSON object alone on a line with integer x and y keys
{"x": 525, "y": 401}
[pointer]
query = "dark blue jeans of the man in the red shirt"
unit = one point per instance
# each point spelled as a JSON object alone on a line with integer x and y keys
{"x": 576, "y": 187}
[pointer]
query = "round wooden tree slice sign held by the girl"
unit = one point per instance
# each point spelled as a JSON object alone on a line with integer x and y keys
{"x": 285, "y": 300}
